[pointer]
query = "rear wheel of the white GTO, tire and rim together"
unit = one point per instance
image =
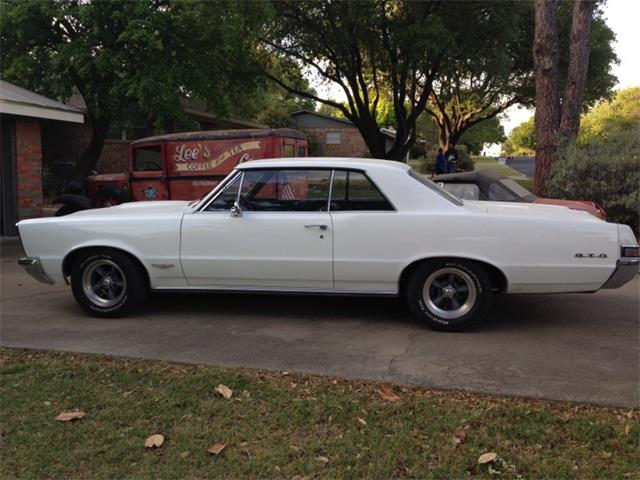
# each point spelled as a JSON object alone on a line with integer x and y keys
{"x": 449, "y": 295}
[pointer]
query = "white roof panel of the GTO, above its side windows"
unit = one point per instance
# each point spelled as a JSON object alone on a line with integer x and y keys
{"x": 325, "y": 162}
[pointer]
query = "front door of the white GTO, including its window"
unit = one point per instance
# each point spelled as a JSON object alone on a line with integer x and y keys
{"x": 280, "y": 235}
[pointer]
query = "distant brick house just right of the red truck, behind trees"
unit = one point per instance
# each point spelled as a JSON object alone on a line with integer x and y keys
{"x": 334, "y": 137}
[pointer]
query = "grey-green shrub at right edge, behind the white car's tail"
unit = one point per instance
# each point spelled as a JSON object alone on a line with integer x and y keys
{"x": 607, "y": 173}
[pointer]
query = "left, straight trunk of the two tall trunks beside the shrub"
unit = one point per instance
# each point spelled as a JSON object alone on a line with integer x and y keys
{"x": 547, "y": 116}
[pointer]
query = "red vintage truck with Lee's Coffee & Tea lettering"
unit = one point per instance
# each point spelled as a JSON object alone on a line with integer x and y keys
{"x": 183, "y": 166}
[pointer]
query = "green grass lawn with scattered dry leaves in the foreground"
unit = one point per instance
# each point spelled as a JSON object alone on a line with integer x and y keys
{"x": 286, "y": 426}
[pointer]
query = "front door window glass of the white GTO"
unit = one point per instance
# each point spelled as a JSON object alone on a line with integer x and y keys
{"x": 285, "y": 190}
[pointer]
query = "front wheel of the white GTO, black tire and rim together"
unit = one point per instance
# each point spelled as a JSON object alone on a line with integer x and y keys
{"x": 124, "y": 293}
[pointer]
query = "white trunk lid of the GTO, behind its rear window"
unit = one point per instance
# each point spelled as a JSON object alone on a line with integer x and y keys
{"x": 532, "y": 210}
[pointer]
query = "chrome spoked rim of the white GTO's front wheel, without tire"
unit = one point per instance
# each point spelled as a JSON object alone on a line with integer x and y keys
{"x": 104, "y": 283}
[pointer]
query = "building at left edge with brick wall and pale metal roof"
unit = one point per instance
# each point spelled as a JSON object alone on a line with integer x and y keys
{"x": 23, "y": 115}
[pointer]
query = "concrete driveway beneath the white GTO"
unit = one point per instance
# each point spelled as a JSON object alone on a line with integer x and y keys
{"x": 577, "y": 347}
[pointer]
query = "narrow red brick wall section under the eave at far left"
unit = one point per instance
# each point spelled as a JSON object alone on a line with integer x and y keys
{"x": 28, "y": 167}
